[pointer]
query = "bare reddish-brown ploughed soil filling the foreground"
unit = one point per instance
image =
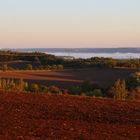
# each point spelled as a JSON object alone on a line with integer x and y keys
{"x": 42, "y": 117}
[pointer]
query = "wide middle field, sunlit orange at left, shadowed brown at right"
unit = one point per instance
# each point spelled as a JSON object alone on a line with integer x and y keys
{"x": 67, "y": 78}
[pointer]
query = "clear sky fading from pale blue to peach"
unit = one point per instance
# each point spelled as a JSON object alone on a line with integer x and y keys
{"x": 69, "y": 23}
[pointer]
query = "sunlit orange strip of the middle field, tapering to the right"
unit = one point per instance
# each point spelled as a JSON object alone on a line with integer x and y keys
{"x": 40, "y": 75}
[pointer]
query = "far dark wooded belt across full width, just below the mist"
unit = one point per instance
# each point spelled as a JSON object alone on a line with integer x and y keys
{"x": 44, "y": 60}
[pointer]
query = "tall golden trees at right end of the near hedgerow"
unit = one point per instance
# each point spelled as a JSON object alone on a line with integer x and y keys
{"x": 126, "y": 89}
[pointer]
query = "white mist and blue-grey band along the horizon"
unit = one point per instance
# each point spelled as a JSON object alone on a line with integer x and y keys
{"x": 118, "y": 53}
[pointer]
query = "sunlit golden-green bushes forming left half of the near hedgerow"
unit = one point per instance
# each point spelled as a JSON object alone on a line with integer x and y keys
{"x": 19, "y": 85}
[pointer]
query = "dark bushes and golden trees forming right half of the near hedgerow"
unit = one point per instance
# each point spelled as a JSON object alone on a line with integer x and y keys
{"x": 122, "y": 89}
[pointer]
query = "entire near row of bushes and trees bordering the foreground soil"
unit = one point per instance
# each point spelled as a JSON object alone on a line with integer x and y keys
{"x": 120, "y": 90}
